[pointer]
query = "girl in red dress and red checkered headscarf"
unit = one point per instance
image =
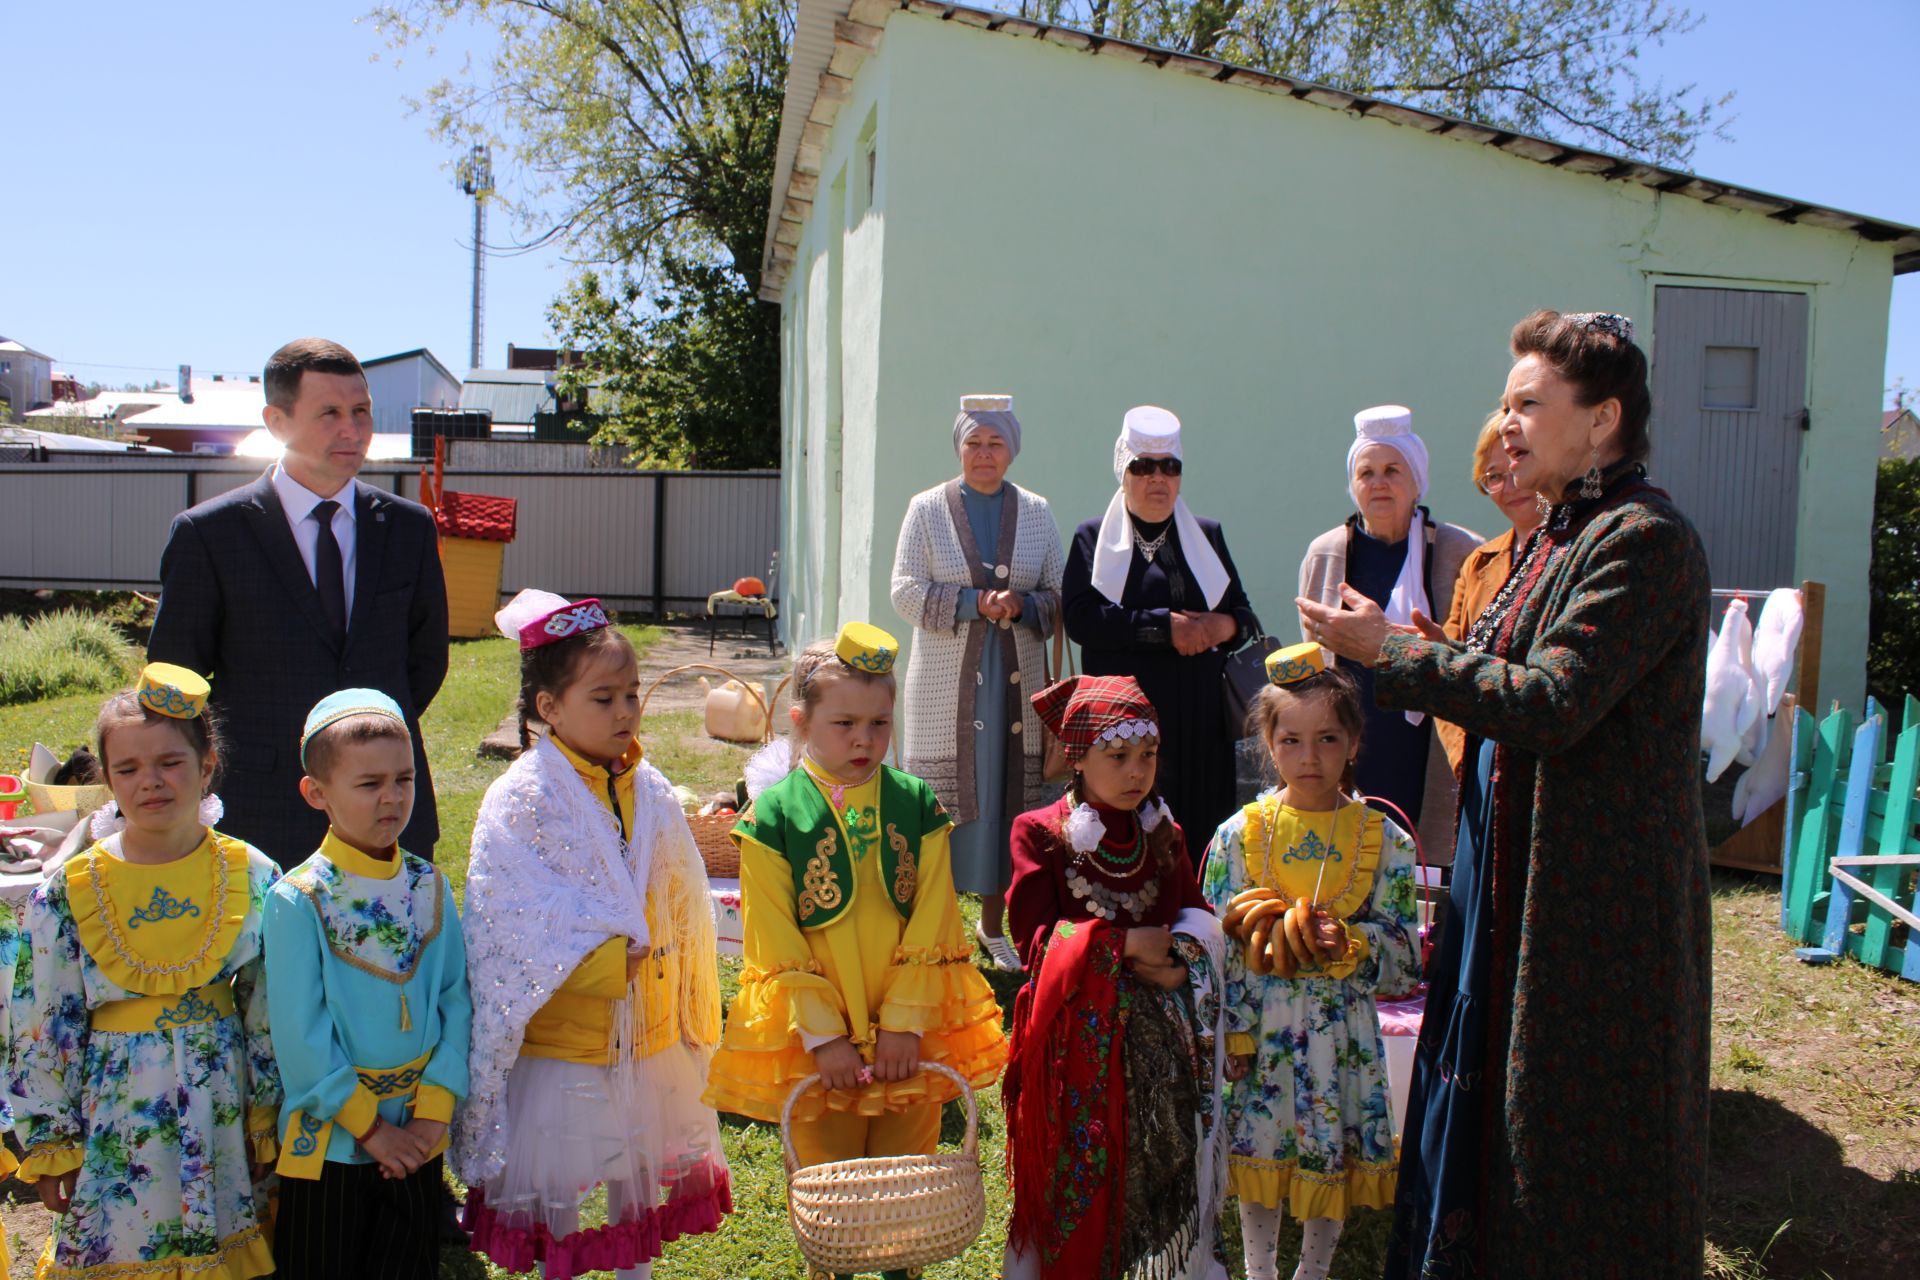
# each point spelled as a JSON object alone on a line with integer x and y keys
{"x": 1113, "y": 1179}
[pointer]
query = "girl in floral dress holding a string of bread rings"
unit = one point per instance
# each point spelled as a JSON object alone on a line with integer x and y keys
{"x": 1308, "y": 1112}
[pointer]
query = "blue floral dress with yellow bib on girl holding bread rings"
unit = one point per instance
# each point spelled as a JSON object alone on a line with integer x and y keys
{"x": 1310, "y": 1127}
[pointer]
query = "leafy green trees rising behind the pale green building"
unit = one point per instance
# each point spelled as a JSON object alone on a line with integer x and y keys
{"x": 644, "y": 133}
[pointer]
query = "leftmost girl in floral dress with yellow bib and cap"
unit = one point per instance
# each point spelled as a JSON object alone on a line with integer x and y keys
{"x": 143, "y": 1079}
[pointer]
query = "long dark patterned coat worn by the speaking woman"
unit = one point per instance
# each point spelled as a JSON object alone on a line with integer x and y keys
{"x": 1602, "y": 936}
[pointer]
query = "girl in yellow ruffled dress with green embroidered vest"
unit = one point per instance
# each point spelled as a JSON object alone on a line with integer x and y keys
{"x": 859, "y": 964}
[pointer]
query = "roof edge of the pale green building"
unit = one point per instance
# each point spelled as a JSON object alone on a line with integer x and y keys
{"x": 834, "y": 37}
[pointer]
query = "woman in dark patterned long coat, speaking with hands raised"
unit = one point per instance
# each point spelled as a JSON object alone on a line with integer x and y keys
{"x": 1558, "y": 1124}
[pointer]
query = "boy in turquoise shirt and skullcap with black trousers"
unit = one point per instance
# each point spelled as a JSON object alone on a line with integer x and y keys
{"x": 370, "y": 1010}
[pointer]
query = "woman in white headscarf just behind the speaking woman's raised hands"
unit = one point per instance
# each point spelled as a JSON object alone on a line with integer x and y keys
{"x": 1399, "y": 557}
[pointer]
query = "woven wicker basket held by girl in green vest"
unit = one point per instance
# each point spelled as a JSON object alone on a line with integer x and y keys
{"x": 886, "y": 1212}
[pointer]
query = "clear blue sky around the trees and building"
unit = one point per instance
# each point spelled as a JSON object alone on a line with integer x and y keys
{"x": 218, "y": 178}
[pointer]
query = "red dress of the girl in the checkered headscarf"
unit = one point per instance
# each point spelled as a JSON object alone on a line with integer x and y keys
{"x": 1095, "y": 1200}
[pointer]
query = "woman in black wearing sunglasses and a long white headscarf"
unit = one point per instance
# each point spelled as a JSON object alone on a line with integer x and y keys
{"x": 1151, "y": 592}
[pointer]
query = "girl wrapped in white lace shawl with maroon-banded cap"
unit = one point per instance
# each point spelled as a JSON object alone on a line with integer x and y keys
{"x": 592, "y": 947}
